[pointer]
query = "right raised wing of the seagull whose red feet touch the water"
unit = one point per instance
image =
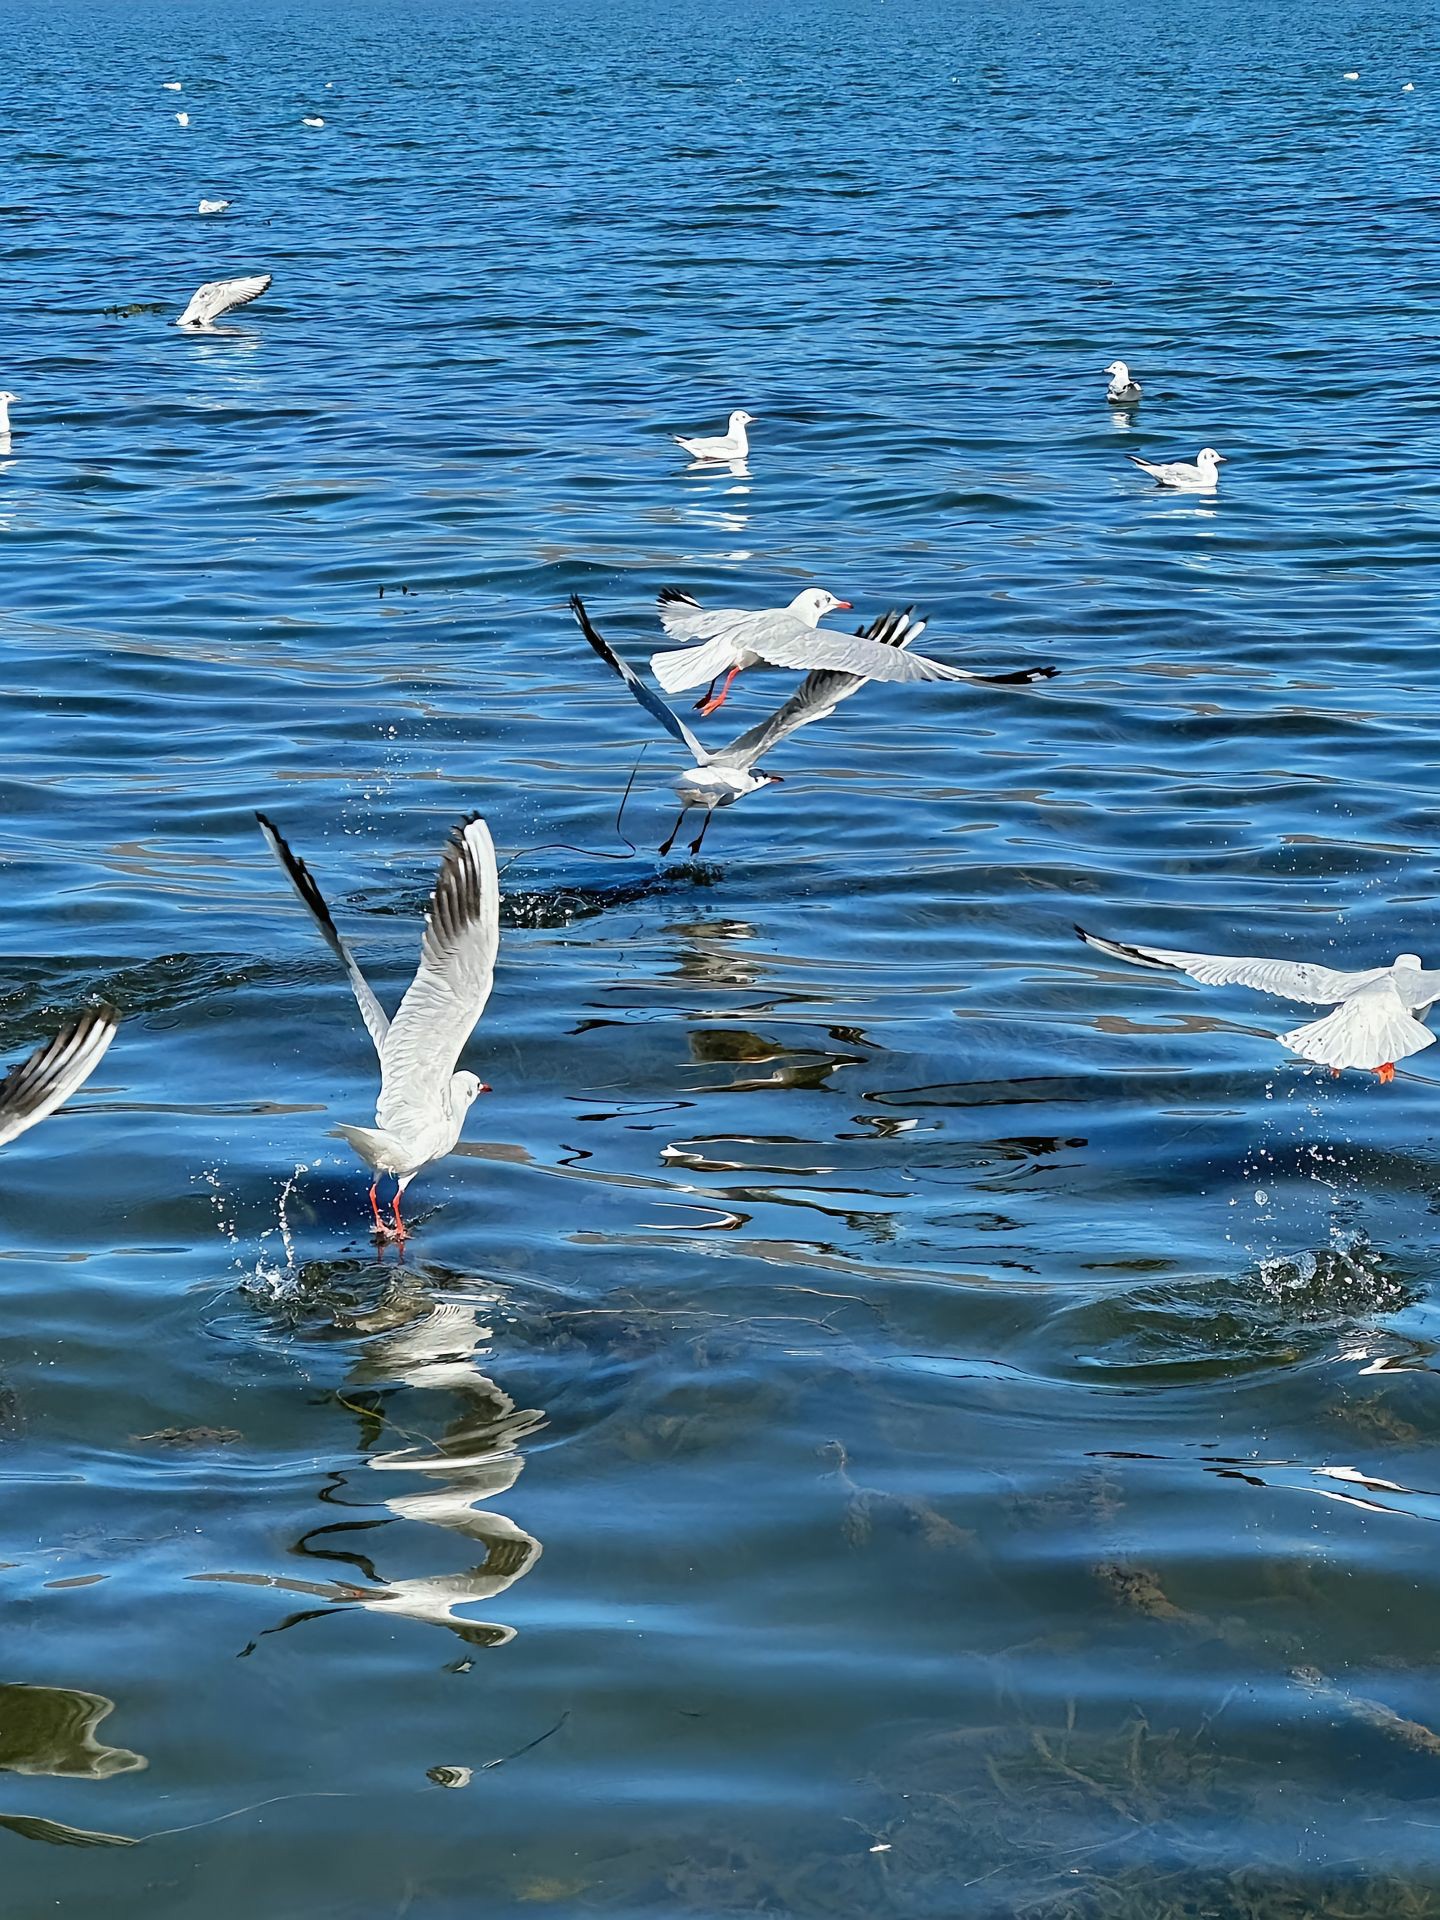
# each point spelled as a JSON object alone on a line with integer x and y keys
{"x": 452, "y": 986}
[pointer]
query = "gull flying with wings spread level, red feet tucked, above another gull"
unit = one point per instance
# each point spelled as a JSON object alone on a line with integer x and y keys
{"x": 780, "y": 636}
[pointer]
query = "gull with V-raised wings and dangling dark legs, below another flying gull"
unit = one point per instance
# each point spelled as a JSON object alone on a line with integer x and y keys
{"x": 729, "y": 775}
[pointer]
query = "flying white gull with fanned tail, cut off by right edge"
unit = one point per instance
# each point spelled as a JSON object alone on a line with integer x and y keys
{"x": 1372, "y": 1024}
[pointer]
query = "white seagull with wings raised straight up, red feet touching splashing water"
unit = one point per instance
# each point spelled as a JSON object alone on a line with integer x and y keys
{"x": 423, "y": 1099}
